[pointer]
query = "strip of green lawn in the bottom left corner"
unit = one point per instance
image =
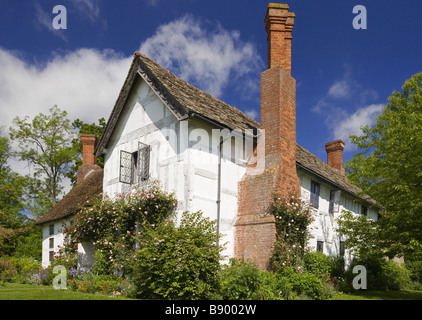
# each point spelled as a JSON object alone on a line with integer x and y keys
{"x": 14, "y": 291}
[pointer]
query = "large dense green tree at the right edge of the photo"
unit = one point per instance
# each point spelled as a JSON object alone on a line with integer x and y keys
{"x": 389, "y": 168}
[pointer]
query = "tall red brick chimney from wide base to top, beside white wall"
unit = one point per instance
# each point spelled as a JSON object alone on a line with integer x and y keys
{"x": 255, "y": 235}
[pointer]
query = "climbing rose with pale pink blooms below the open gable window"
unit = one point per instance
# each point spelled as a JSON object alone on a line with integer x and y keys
{"x": 112, "y": 224}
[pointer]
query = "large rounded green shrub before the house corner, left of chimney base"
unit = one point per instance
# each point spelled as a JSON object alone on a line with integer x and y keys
{"x": 177, "y": 262}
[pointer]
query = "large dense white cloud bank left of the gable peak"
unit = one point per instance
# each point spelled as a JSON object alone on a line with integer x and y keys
{"x": 76, "y": 81}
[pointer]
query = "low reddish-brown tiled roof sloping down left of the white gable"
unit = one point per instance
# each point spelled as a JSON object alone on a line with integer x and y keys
{"x": 88, "y": 189}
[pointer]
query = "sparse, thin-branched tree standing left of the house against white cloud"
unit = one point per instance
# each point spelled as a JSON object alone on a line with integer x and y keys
{"x": 45, "y": 143}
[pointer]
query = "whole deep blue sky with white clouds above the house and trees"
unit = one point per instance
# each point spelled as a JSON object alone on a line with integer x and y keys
{"x": 344, "y": 76}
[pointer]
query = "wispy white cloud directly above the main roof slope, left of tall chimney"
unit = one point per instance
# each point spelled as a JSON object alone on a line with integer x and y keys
{"x": 207, "y": 59}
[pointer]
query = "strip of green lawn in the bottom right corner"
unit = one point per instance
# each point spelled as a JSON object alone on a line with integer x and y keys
{"x": 380, "y": 295}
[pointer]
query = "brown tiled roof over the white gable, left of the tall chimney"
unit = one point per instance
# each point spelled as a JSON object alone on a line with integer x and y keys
{"x": 183, "y": 99}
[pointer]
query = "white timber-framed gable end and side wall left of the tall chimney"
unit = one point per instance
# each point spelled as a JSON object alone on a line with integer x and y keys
{"x": 184, "y": 159}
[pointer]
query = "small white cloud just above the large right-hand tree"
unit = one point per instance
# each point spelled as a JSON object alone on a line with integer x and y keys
{"x": 350, "y": 124}
